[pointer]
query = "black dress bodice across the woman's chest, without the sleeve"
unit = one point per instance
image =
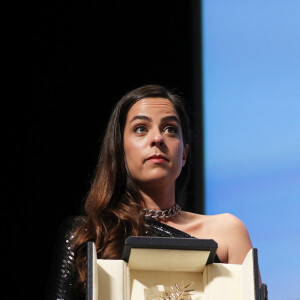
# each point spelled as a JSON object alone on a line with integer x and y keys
{"x": 156, "y": 228}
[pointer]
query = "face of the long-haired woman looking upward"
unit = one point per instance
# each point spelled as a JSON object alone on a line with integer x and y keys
{"x": 153, "y": 143}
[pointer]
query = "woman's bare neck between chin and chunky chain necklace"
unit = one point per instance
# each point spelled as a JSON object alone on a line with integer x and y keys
{"x": 158, "y": 199}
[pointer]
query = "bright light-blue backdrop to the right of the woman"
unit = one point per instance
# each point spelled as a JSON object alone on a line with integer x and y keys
{"x": 251, "y": 58}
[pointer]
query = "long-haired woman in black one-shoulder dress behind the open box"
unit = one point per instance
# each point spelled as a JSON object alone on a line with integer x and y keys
{"x": 138, "y": 185}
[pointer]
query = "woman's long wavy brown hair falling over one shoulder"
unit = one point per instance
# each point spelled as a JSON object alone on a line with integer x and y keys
{"x": 114, "y": 204}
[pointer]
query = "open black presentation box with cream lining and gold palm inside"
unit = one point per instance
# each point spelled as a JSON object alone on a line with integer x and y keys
{"x": 157, "y": 268}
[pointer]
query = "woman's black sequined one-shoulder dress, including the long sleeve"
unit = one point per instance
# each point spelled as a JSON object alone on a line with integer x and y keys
{"x": 63, "y": 273}
